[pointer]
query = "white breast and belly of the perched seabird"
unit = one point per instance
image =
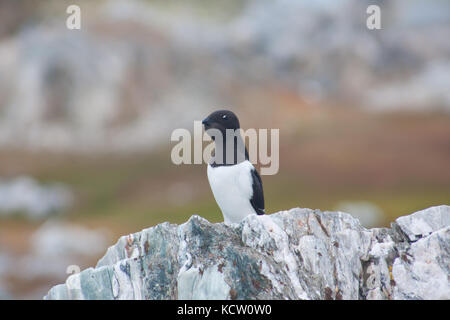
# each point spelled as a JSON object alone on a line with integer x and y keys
{"x": 232, "y": 189}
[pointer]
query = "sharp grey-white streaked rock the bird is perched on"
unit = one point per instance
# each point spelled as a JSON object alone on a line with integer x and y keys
{"x": 295, "y": 254}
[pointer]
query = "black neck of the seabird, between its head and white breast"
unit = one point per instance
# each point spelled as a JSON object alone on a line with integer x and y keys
{"x": 229, "y": 152}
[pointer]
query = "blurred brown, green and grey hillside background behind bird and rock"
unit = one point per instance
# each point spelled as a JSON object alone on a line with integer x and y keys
{"x": 86, "y": 116}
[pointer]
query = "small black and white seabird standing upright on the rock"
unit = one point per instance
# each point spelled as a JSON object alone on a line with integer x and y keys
{"x": 234, "y": 181}
